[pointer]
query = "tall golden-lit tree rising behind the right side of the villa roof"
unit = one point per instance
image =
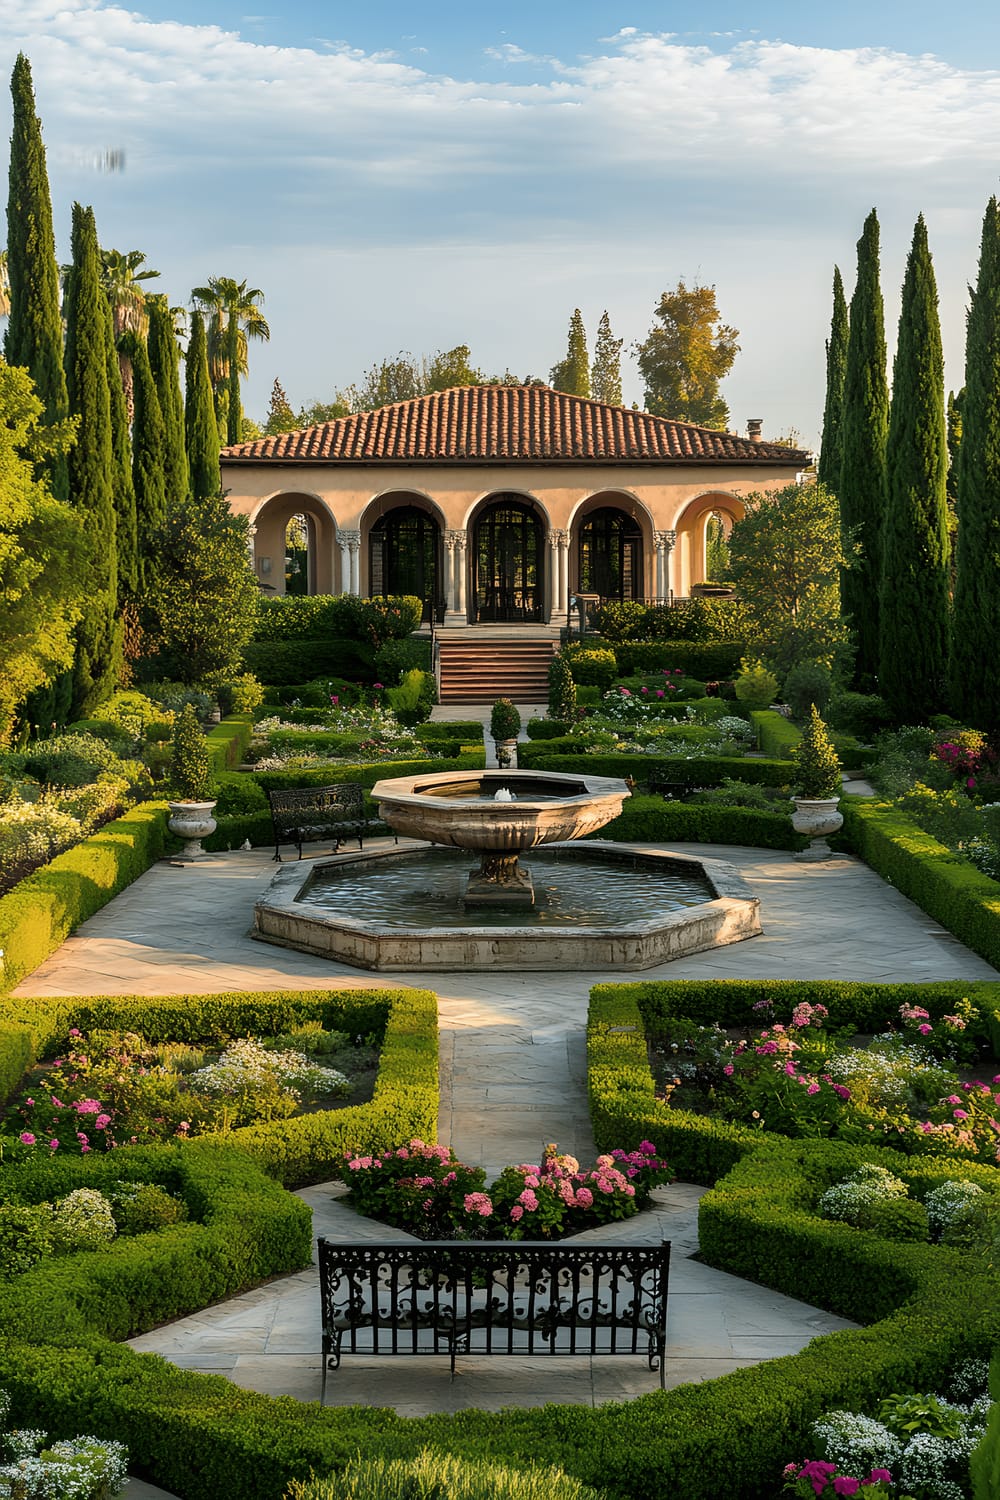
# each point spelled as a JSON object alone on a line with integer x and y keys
{"x": 687, "y": 356}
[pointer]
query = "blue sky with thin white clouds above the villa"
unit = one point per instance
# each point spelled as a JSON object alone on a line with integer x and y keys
{"x": 416, "y": 176}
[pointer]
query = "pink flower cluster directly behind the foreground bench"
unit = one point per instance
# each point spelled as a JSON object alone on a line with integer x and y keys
{"x": 428, "y": 1192}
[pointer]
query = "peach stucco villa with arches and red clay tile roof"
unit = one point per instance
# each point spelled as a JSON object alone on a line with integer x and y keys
{"x": 500, "y": 505}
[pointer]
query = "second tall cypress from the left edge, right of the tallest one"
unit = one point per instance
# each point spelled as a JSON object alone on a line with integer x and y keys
{"x": 98, "y": 664}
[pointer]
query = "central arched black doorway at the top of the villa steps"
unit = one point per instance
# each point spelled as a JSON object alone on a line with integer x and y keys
{"x": 509, "y": 563}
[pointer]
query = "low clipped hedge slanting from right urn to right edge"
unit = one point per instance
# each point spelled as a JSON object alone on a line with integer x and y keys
{"x": 944, "y": 884}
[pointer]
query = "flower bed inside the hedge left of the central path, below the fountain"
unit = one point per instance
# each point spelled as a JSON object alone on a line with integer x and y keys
{"x": 109, "y": 1090}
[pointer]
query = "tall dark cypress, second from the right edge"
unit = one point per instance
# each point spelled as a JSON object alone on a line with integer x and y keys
{"x": 915, "y": 545}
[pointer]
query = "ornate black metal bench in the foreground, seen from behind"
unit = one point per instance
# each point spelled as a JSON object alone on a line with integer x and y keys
{"x": 494, "y": 1298}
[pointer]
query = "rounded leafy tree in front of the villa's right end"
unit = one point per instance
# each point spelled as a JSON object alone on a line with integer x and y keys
{"x": 785, "y": 559}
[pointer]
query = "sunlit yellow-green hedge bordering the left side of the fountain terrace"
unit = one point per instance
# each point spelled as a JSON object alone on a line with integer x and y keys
{"x": 46, "y": 908}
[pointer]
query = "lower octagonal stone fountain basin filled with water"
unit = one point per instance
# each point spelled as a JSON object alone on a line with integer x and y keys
{"x": 597, "y": 907}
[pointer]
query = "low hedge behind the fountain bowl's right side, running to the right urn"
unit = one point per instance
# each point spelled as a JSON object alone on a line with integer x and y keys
{"x": 651, "y": 820}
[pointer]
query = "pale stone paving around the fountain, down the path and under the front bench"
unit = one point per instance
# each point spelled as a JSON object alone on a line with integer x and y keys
{"x": 513, "y": 1076}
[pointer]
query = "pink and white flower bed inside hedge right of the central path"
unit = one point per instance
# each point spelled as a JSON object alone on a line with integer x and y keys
{"x": 914, "y": 1087}
